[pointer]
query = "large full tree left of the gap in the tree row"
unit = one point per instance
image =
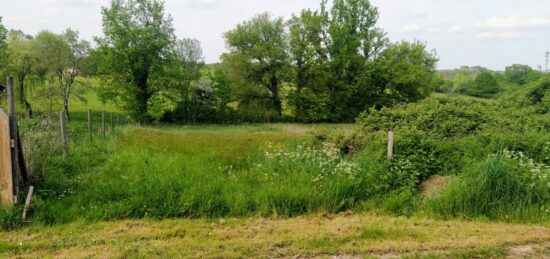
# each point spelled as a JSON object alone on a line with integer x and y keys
{"x": 137, "y": 44}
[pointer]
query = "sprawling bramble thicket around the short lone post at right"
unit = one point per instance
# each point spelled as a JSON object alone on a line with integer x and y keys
{"x": 442, "y": 135}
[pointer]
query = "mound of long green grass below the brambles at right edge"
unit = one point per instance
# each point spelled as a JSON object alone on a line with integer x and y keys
{"x": 504, "y": 186}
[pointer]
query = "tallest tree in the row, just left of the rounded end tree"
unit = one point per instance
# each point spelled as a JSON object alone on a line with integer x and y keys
{"x": 354, "y": 43}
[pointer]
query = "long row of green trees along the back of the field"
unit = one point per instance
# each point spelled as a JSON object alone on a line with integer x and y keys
{"x": 324, "y": 65}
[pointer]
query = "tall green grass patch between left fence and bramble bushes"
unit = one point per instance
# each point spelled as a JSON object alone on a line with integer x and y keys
{"x": 151, "y": 173}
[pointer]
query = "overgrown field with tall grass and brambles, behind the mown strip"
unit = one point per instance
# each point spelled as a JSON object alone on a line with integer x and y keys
{"x": 493, "y": 157}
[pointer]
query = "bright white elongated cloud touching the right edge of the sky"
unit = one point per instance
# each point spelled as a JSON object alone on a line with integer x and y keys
{"x": 514, "y": 21}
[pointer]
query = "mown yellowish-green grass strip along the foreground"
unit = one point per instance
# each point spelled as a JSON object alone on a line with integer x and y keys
{"x": 345, "y": 235}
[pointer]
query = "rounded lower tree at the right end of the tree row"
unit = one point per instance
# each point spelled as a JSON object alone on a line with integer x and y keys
{"x": 404, "y": 71}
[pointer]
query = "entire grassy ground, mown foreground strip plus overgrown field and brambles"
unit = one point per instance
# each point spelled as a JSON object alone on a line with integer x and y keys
{"x": 479, "y": 173}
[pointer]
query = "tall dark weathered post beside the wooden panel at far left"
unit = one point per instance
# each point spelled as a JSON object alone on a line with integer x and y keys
{"x": 14, "y": 135}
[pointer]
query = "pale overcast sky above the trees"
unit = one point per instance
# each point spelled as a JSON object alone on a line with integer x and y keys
{"x": 490, "y": 33}
